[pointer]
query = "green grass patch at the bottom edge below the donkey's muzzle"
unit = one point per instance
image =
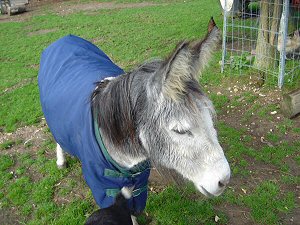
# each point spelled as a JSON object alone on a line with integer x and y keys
{"x": 166, "y": 207}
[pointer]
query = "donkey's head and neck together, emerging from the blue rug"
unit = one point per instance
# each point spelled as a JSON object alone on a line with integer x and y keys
{"x": 159, "y": 112}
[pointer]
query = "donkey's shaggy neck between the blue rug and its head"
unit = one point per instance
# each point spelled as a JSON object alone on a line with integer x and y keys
{"x": 115, "y": 103}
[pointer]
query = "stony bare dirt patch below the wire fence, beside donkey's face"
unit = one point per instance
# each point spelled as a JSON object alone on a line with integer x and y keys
{"x": 256, "y": 126}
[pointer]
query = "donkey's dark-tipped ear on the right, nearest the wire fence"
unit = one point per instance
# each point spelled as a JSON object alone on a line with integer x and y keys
{"x": 202, "y": 50}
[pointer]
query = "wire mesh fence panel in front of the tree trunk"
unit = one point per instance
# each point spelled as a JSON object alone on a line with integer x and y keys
{"x": 262, "y": 38}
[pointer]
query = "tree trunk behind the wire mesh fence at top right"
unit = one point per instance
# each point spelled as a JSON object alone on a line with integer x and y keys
{"x": 270, "y": 13}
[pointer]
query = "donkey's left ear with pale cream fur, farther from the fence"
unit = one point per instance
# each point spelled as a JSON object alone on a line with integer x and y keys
{"x": 176, "y": 70}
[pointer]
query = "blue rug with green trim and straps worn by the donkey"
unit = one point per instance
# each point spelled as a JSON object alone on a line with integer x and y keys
{"x": 69, "y": 69}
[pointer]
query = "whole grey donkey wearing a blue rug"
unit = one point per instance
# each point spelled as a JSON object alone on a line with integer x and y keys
{"x": 118, "y": 123}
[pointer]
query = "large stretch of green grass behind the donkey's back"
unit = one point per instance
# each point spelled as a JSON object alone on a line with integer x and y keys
{"x": 130, "y": 36}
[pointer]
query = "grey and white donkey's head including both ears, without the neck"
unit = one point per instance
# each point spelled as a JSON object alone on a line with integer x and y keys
{"x": 177, "y": 128}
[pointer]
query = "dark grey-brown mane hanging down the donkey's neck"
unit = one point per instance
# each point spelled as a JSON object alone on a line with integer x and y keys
{"x": 118, "y": 105}
